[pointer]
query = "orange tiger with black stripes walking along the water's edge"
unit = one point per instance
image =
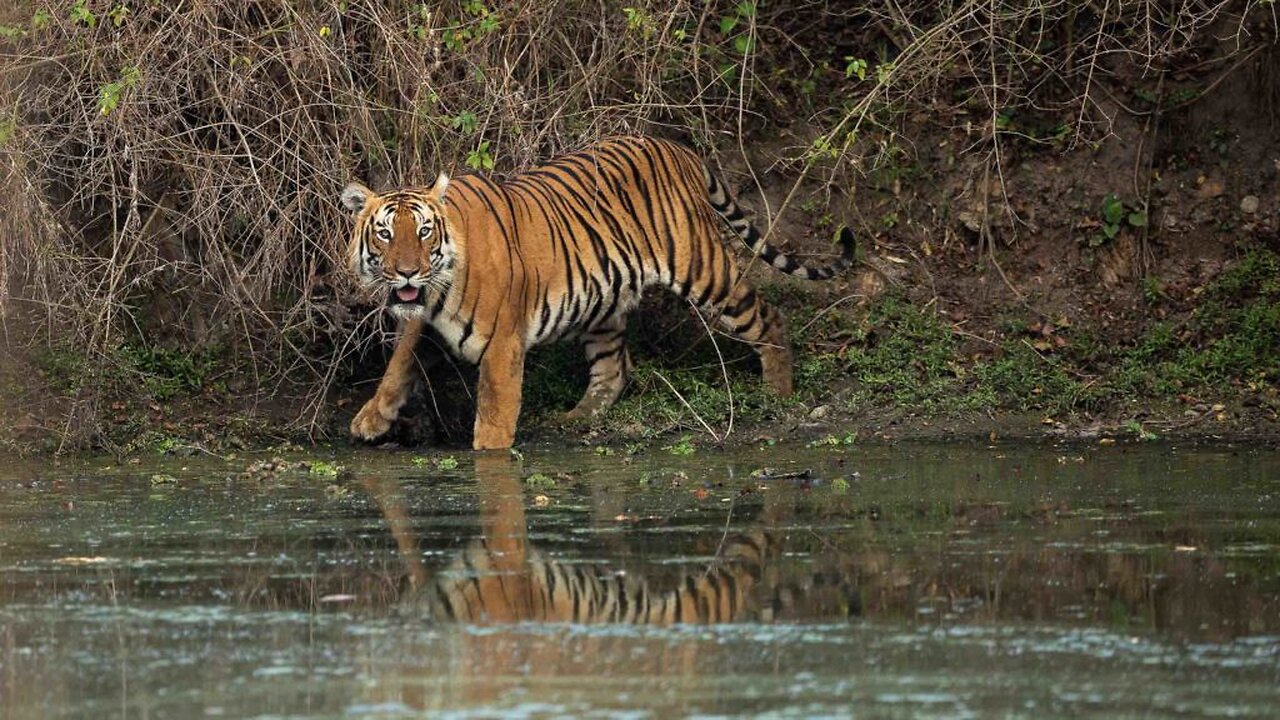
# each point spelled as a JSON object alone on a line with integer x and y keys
{"x": 564, "y": 250}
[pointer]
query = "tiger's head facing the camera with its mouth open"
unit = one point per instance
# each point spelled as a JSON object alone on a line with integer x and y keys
{"x": 403, "y": 243}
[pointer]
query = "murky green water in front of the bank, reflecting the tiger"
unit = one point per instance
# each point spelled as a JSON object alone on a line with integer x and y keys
{"x": 908, "y": 581}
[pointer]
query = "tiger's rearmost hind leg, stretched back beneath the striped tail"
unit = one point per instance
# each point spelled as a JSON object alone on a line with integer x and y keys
{"x": 751, "y": 320}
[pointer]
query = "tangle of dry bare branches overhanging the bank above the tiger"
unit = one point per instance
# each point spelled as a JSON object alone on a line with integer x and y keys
{"x": 171, "y": 172}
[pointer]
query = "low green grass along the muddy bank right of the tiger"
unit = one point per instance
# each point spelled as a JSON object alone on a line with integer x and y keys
{"x": 898, "y": 356}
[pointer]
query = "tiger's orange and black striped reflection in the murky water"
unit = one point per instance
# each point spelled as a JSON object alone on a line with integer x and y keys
{"x": 501, "y": 578}
